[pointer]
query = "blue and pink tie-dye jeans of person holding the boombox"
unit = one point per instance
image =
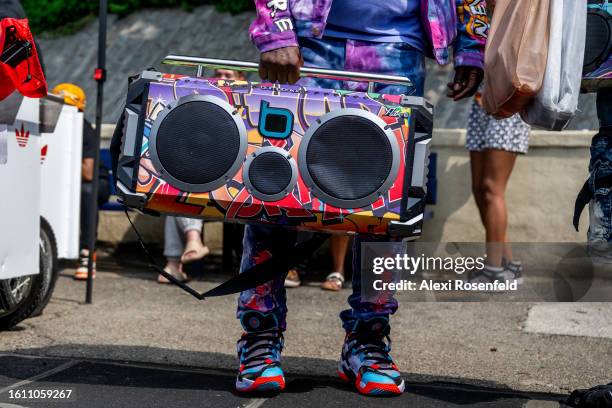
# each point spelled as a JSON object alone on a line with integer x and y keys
{"x": 261, "y": 242}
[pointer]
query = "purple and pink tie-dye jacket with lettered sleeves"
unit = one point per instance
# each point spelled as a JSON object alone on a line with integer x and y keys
{"x": 462, "y": 24}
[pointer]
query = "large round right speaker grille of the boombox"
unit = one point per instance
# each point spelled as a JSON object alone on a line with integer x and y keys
{"x": 349, "y": 157}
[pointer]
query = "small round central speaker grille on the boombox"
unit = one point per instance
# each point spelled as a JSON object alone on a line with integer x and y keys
{"x": 270, "y": 173}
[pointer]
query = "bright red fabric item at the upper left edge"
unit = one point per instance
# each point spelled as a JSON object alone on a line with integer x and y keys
{"x": 26, "y": 75}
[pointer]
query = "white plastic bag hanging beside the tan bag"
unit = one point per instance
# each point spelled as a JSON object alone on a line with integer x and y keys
{"x": 557, "y": 102}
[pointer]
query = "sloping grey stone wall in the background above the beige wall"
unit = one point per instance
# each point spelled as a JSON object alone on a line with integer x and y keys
{"x": 142, "y": 39}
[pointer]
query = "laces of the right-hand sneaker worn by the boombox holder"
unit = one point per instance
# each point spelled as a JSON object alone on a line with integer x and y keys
{"x": 373, "y": 348}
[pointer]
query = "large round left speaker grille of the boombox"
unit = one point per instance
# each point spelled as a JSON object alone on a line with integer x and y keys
{"x": 198, "y": 142}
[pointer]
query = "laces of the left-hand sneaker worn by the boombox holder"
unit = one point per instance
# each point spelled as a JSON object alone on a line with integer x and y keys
{"x": 260, "y": 348}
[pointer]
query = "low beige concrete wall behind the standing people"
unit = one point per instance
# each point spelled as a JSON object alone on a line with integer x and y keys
{"x": 541, "y": 194}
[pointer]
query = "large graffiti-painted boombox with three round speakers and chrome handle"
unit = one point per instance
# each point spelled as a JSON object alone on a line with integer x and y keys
{"x": 314, "y": 159}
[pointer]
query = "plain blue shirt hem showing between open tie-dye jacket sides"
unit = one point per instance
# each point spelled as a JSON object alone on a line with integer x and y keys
{"x": 392, "y": 21}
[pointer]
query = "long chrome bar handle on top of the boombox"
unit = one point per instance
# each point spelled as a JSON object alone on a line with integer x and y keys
{"x": 246, "y": 66}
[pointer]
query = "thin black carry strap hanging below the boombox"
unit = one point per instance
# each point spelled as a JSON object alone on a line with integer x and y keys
{"x": 270, "y": 269}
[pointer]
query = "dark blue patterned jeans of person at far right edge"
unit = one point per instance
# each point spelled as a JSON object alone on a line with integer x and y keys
{"x": 600, "y": 180}
